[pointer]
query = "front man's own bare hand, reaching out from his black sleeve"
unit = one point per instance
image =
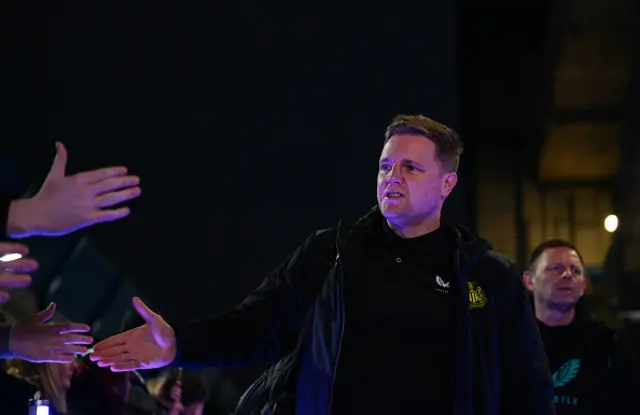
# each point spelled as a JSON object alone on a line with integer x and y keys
{"x": 149, "y": 346}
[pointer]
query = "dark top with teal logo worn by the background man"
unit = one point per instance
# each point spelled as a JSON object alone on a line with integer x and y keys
{"x": 594, "y": 372}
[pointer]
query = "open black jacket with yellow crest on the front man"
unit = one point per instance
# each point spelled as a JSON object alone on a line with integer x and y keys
{"x": 297, "y": 318}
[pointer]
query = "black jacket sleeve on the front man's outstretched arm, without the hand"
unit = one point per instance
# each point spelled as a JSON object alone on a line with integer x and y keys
{"x": 266, "y": 324}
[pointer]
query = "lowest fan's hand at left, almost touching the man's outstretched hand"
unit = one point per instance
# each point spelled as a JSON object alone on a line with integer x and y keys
{"x": 37, "y": 342}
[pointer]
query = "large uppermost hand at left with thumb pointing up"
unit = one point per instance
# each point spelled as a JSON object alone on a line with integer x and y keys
{"x": 67, "y": 203}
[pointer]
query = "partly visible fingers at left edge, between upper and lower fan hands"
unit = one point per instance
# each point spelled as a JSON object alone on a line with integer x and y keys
{"x": 13, "y": 274}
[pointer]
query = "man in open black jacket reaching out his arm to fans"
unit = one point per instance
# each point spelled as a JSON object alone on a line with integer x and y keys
{"x": 392, "y": 314}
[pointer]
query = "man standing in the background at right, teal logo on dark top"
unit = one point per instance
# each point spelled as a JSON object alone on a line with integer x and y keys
{"x": 592, "y": 372}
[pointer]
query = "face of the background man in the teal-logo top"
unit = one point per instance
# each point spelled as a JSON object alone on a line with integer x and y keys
{"x": 558, "y": 278}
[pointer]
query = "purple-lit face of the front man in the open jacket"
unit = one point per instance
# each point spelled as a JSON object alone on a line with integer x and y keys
{"x": 411, "y": 184}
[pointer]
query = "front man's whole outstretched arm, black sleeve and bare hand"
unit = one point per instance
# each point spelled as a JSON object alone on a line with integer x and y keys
{"x": 262, "y": 328}
